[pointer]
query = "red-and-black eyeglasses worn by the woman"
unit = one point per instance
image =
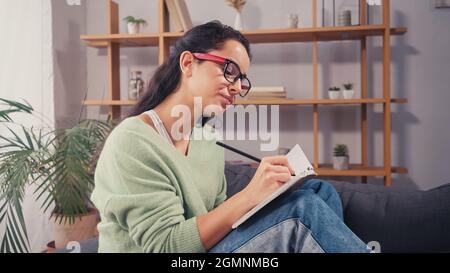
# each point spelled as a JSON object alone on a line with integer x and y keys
{"x": 231, "y": 71}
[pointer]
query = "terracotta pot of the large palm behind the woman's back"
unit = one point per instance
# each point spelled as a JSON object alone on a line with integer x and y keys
{"x": 83, "y": 228}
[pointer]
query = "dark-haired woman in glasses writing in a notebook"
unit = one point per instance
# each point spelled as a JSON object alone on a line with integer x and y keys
{"x": 158, "y": 190}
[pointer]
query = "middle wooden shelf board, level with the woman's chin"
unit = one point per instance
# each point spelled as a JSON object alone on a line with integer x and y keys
{"x": 263, "y": 102}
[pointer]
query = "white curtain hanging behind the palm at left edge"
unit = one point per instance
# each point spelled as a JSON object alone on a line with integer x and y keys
{"x": 26, "y": 73}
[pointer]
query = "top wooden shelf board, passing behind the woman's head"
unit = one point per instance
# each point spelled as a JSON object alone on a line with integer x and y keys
{"x": 255, "y": 36}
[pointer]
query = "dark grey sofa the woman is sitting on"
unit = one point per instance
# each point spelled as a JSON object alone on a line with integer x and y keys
{"x": 400, "y": 220}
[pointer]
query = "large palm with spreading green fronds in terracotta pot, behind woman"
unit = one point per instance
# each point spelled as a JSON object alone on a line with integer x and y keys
{"x": 58, "y": 163}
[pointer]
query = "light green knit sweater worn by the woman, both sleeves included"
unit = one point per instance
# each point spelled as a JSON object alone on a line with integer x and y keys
{"x": 149, "y": 194}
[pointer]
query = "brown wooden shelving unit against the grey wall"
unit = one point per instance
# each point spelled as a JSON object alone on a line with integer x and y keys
{"x": 162, "y": 39}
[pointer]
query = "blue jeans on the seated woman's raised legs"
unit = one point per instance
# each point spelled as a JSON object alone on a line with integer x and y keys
{"x": 309, "y": 219}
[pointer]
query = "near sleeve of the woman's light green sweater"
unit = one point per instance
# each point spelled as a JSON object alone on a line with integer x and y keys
{"x": 147, "y": 205}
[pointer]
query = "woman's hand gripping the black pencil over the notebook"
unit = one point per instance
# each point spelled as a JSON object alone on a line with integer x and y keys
{"x": 271, "y": 174}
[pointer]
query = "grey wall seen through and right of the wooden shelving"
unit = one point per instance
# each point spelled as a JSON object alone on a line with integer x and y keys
{"x": 419, "y": 72}
